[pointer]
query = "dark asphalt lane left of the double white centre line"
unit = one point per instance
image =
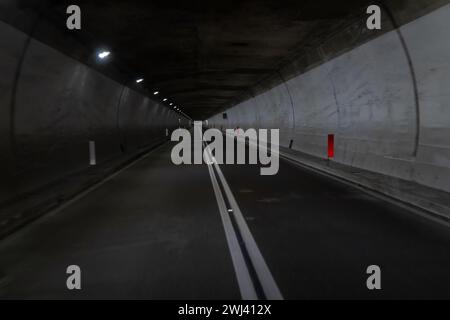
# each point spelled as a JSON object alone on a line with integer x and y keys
{"x": 151, "y": 232}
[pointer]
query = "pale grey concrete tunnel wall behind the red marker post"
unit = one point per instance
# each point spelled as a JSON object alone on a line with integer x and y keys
{"x": 389, "y": 114}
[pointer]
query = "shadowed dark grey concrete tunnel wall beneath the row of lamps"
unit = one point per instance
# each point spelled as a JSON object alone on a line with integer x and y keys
{"x": 53, "y": 105}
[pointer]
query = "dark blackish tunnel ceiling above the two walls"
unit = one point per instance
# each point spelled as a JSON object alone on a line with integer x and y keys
{"x": 202, "y": 54}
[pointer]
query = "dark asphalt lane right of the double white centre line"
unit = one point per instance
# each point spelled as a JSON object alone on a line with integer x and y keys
{"x": 318, "y": 236}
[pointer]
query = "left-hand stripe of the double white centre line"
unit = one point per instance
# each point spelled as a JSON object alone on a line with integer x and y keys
{"x": 244, "y": 280}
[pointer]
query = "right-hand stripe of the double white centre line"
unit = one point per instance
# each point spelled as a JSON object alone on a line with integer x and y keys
{"x": 270, "y": 288}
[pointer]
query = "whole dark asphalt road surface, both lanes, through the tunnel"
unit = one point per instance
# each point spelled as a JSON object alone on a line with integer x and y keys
{"x": 156, "y": 231}
